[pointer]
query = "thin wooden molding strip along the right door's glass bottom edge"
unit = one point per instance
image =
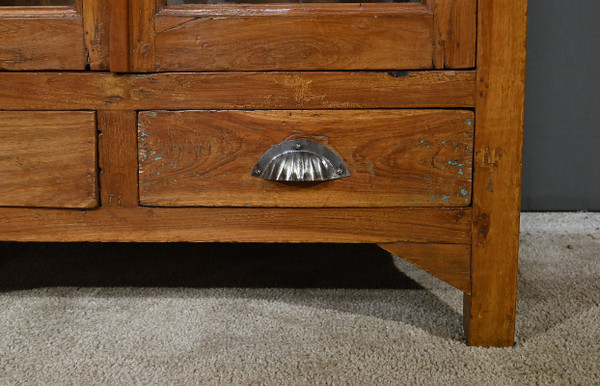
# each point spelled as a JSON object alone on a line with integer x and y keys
{"x": 305, "y": 9}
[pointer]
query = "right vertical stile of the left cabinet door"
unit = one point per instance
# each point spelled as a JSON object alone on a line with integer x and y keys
{"x": 97, "y": 33}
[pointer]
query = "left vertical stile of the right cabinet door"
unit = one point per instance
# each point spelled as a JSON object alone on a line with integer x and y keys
{"x": 141, "y": 22}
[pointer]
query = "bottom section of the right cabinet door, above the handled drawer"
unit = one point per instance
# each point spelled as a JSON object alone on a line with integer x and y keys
{"x": 261, "y": 36}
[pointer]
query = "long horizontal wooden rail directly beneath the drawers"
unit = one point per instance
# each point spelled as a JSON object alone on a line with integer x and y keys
{"x": 348, "y": 225}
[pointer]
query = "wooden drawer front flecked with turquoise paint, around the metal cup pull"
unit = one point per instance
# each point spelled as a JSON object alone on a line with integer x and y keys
{"x": 394, "y": 157}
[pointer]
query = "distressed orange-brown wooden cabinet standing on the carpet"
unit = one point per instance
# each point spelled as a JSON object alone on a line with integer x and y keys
{"x": 396, "y": 123}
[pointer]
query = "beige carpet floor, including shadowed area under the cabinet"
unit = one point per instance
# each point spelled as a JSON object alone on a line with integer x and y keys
{"x": 89, "y": 314}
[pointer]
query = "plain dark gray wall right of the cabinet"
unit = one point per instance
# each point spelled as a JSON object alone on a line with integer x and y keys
{"x": 561, "y": 155}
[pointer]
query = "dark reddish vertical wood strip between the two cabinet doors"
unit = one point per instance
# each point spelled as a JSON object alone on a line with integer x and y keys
{"x": 119, "y": 35}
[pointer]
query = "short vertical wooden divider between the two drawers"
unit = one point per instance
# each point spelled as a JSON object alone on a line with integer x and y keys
{"x": 118, "y": 158}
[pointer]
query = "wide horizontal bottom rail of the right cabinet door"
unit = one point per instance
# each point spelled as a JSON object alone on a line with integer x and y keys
{"x": 280, "y": 42}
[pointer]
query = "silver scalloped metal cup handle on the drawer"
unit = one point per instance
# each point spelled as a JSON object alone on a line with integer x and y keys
{"x": 300, "y": 161}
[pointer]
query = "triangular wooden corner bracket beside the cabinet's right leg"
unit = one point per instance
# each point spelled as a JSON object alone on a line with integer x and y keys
{"x": 448, "y": 262}
